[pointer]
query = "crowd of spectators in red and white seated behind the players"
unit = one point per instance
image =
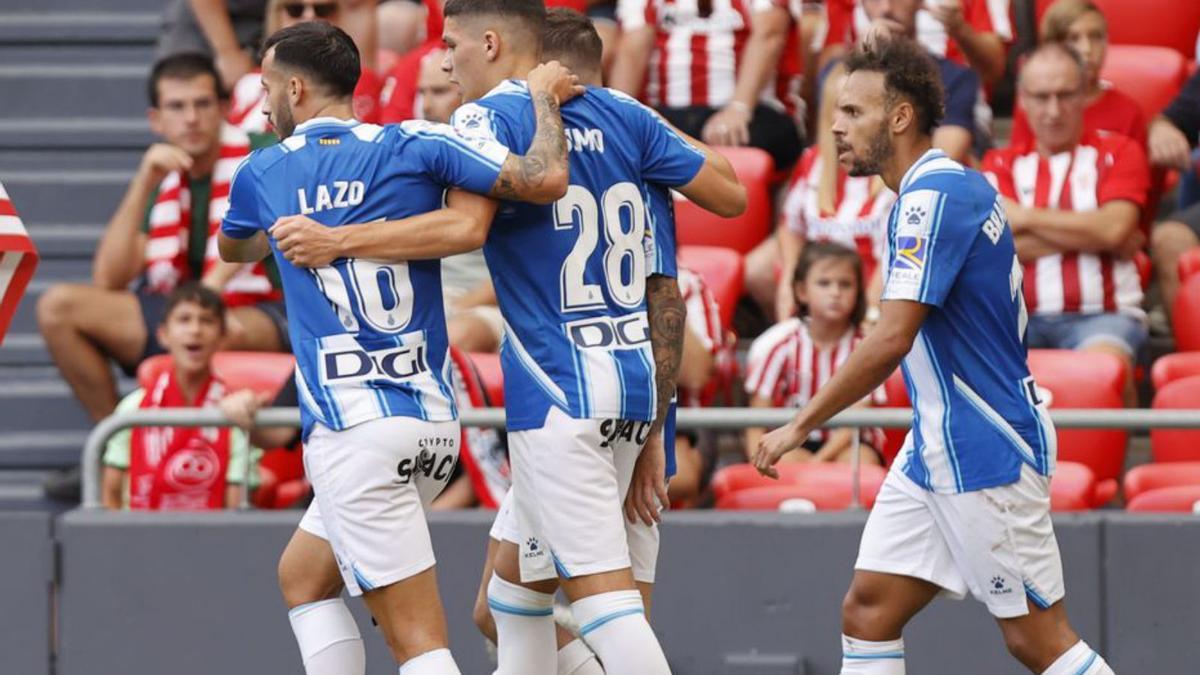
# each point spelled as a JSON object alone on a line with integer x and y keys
{"x": 1077, "y": 170}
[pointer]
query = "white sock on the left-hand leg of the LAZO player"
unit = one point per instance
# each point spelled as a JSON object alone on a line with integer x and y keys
{"x": 329, "y": 638}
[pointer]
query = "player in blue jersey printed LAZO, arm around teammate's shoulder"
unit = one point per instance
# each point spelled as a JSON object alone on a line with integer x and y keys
{"x": 380, "y": 421}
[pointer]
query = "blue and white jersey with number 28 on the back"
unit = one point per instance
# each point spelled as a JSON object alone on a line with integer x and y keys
{"x": 571, "y": 278}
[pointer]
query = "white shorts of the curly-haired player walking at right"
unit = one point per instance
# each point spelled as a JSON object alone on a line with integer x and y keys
{"x": 997, "y": 543}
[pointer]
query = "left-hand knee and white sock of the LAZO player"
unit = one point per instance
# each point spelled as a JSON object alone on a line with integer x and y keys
{"x": 329, "y": 638}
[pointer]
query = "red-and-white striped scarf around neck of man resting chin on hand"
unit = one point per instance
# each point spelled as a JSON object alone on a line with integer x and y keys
{"x": 171, "y": 222}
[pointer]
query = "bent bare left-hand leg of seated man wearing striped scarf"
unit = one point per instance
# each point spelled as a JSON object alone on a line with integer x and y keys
{"x": 86, "y": 326}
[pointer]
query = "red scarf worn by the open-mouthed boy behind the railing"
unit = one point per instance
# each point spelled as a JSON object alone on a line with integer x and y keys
{"x": 178, "y": 469}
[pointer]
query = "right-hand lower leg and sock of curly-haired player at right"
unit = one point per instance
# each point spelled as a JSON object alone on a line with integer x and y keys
{"x": 1045, "y": 642}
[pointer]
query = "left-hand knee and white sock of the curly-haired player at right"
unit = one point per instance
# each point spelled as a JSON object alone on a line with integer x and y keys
{"x": 874, "y": 614}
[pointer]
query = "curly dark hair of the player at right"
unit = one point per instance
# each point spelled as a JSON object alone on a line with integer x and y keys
{"x": 908, "y": 71}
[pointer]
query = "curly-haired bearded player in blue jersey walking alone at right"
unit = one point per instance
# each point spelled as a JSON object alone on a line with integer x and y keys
{"x": 968, "y": 505}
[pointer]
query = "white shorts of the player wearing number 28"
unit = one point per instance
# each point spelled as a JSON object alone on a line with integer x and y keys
{"x": 566, "y": 507}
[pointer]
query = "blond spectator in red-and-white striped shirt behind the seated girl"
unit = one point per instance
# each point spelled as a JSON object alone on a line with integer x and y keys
{"x": 823, "y": 204}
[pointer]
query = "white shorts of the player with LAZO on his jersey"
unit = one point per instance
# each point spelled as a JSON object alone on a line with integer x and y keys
{"x": 373, "y": 485}
